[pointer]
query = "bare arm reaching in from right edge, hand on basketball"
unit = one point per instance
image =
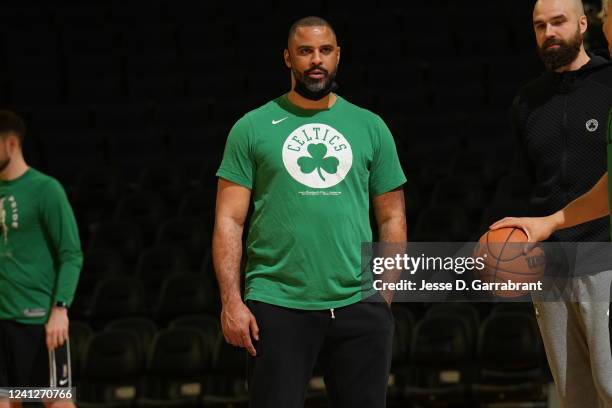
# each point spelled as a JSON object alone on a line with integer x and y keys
{"x": 588, "y": 207}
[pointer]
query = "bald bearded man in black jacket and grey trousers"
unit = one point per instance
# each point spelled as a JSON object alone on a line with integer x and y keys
{"x": 560, "y": 119}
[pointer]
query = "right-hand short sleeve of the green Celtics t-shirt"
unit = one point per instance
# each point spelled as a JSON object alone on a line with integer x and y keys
{"x": 386, "y": 171}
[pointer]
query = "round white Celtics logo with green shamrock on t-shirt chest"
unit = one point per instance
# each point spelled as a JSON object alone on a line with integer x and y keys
{"x": 317, "y": 155}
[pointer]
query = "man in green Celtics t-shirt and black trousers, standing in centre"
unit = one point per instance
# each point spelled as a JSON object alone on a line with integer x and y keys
{"x": 311, "y": 162}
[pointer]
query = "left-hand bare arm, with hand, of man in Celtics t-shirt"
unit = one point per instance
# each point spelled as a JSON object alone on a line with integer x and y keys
{"x": 237, "y": 321}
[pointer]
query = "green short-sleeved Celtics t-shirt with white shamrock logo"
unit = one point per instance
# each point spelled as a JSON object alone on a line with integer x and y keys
{"x": 311, "y": 173}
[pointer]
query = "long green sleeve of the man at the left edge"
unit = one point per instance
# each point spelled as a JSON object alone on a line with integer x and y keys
{"x": 61, "y": 228}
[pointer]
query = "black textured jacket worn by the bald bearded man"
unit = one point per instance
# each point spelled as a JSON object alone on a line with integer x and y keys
{"x": 560, "y": 121}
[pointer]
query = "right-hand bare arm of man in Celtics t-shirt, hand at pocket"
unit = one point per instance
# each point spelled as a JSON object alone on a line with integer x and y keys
{"x": 390, "y": 212}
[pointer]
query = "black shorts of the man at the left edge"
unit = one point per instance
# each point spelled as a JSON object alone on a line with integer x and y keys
{"x": 25, "y": 360}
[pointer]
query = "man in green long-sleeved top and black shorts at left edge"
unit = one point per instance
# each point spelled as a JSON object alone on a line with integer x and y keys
{"x": 40, "y": 263}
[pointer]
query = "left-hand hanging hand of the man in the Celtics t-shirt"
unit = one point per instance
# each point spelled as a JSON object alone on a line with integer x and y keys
{"x": 238, "y": 323}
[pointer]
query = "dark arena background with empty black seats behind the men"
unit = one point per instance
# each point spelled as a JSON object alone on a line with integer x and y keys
{"x": 129, "y": 103}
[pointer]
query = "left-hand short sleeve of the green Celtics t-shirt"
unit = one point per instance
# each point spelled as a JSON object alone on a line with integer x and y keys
{"x": 237, "y": 165}
